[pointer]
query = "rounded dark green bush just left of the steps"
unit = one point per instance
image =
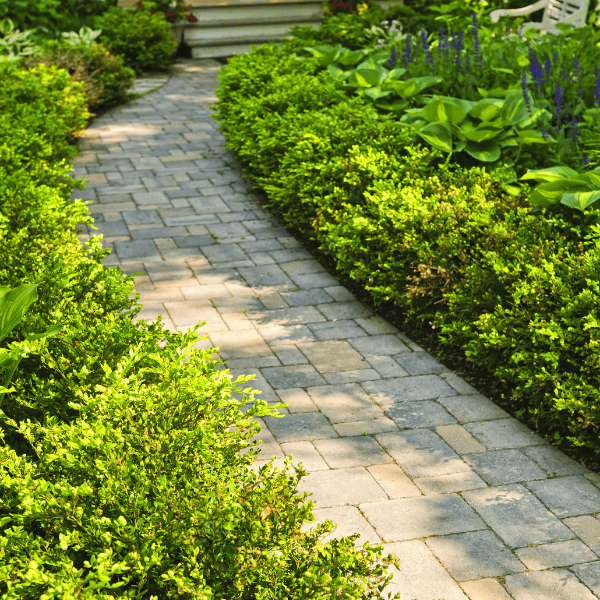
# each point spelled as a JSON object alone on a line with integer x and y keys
{"x": 144, "y": 40}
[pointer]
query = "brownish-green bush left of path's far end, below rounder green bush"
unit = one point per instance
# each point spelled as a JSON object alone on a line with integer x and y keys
{"x": 106, "y": 80}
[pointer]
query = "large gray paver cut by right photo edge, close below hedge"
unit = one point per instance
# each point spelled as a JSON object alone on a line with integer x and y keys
{"x": 568, "y": 496}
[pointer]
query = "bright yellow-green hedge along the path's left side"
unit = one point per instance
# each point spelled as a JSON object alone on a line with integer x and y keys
{"x": 121, "y": 473}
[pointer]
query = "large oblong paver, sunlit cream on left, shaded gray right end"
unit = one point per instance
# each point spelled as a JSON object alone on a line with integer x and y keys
{"x": 425, "y": 516}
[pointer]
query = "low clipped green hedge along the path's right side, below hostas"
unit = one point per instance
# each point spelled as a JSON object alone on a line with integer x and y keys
{"x": 519, "y": 294}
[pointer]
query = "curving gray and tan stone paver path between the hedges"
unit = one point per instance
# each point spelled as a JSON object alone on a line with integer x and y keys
{"x": 397, "y": 448}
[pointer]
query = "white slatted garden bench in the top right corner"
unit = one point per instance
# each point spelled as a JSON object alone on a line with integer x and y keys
{"x": 555, "y": 11}
